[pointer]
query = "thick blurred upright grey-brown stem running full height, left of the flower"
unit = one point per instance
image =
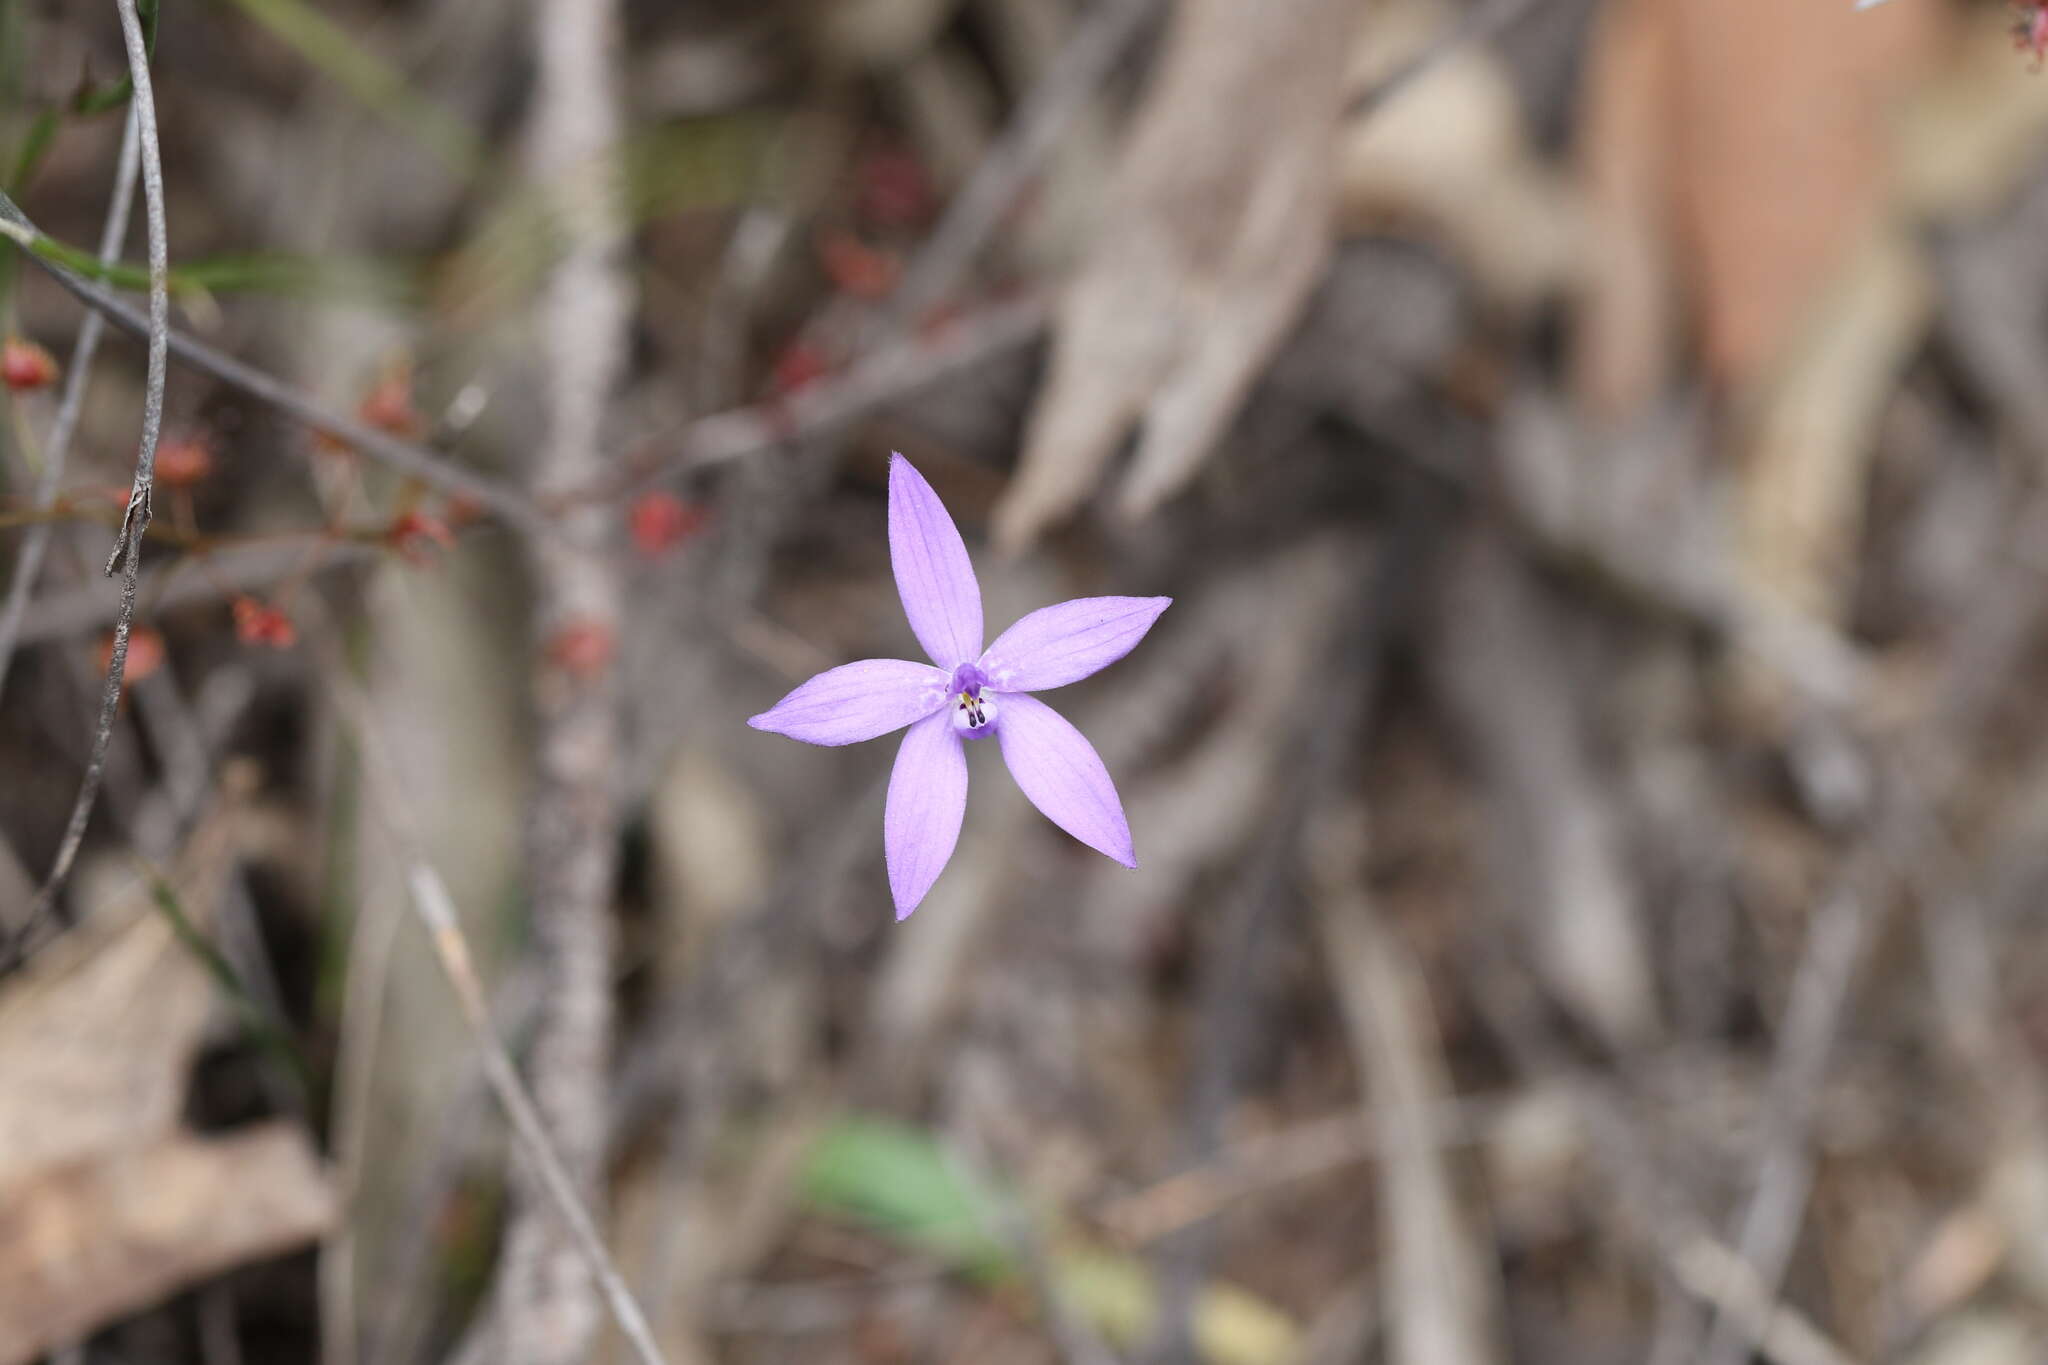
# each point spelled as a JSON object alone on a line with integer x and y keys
{"x": 544, "y": 1309}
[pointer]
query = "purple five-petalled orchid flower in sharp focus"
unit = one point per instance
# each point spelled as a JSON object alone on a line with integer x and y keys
{"x": 972, "y": 693}
